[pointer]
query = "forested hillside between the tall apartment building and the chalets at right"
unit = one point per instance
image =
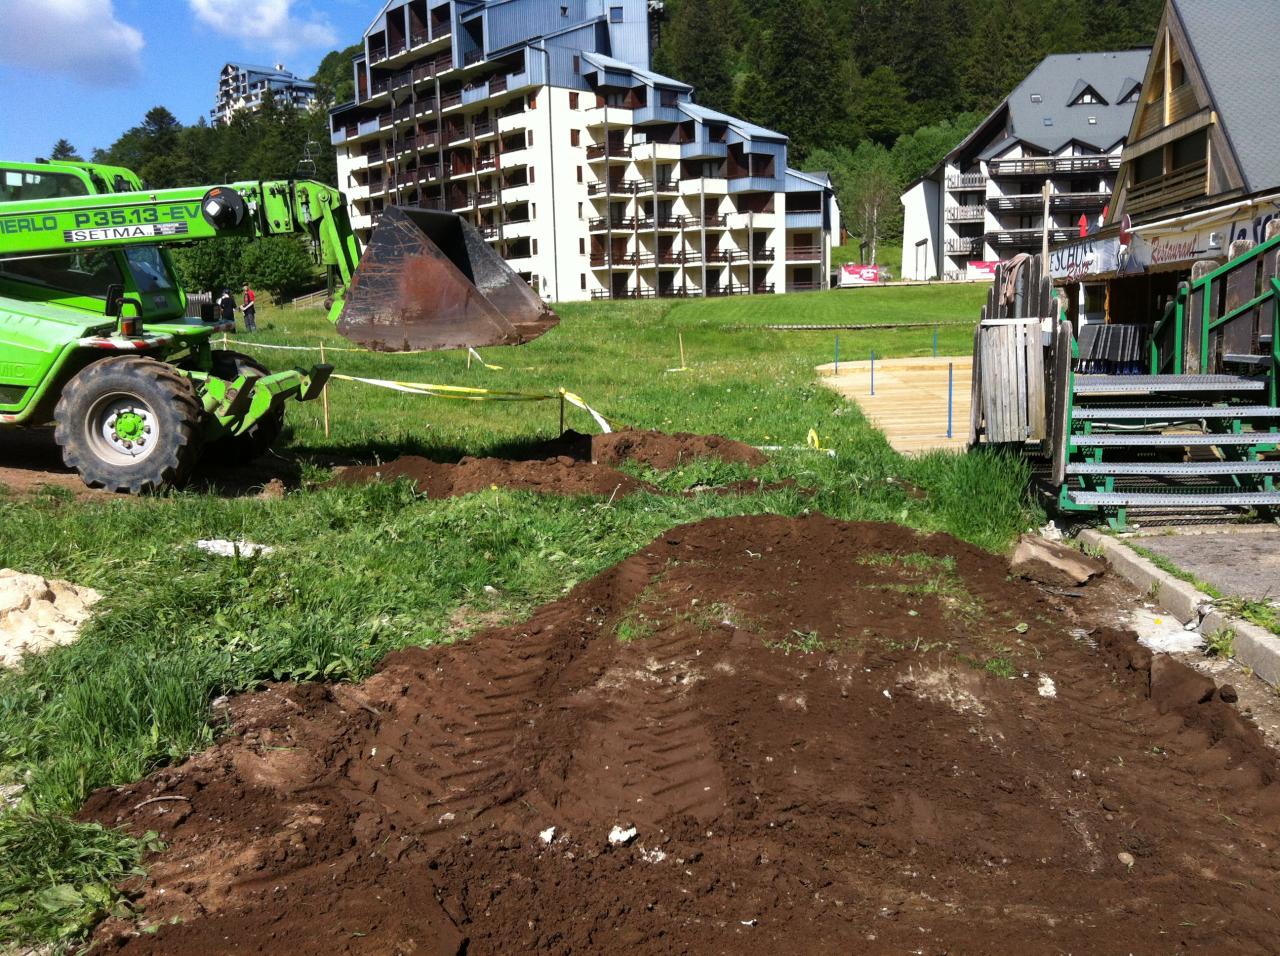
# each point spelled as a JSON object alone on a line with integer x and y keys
{"x": 877, "y": 92}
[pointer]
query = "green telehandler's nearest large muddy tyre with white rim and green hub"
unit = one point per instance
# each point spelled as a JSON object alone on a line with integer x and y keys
{"x": 130, "y": 424}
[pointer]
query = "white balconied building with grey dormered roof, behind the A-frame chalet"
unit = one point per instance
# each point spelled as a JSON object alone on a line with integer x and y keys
{"x": 1064, "y": 126}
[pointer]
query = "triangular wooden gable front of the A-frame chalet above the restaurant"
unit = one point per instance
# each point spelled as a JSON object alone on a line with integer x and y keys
{"x": 1178, "y": 155}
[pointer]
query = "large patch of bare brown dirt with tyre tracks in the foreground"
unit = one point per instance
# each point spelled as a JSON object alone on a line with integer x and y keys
{"x": 829, "y": 738}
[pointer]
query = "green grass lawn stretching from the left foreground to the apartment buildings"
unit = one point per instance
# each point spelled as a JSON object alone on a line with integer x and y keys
{"x": 362, "y": 571}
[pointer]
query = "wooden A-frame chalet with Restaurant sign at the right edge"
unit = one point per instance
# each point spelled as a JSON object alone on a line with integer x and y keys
{"x": 1200, "y": 171}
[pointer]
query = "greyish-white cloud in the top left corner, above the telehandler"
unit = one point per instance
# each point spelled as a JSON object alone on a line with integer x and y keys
{"x": 79, "y": 38}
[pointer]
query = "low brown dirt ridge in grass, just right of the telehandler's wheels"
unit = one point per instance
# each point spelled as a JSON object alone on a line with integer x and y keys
{"x": 552, "y": 477}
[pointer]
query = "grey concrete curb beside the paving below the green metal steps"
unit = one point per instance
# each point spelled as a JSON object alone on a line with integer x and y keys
{"x": 1255, "y": 647}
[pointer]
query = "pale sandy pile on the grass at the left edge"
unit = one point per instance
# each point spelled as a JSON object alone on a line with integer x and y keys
{"x": 38, "y": 615}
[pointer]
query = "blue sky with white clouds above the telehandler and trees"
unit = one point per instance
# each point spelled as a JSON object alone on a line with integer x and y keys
{"x": 90, "y": 70}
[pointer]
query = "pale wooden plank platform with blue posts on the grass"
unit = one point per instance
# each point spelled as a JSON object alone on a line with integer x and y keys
{"x": 911, "y": 401}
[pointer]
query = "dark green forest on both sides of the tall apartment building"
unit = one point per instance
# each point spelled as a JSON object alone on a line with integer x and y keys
{"x": 872, "y": 92}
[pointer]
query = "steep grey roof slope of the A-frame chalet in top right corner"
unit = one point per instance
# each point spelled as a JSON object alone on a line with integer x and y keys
{"x": 1233, "y": 43}
